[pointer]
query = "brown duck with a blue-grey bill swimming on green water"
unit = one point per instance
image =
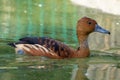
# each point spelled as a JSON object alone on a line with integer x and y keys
{"x": 51, "y": 48}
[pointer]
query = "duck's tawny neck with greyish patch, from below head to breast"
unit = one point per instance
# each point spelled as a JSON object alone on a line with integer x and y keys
{"x": 83, "y": 50}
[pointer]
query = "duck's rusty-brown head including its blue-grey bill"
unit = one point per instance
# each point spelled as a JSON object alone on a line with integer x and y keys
{"x": 86, "y": 25}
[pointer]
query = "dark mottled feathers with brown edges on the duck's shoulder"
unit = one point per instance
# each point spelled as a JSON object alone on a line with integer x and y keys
{"x": 56, "y": 46}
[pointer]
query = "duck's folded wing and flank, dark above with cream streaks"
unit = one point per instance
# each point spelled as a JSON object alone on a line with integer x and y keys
{"x": 44, "y": 46}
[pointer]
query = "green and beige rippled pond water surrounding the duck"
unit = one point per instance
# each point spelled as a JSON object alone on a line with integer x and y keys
{"x": 57, "y": 19}
